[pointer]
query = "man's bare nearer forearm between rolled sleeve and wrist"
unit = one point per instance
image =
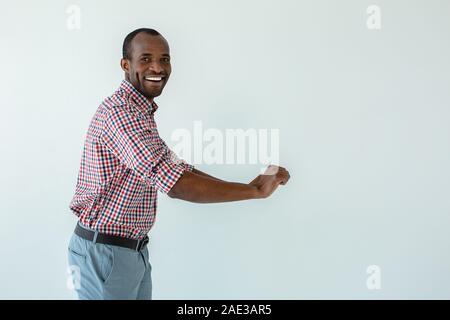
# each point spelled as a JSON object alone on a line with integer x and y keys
{"x": 198, "y": 188}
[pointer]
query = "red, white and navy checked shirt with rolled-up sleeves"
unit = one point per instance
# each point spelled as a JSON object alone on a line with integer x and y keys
{"x": 124, "y": 163}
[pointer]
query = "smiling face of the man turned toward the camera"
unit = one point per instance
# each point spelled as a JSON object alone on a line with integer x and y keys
{"x": 149, "y": 68}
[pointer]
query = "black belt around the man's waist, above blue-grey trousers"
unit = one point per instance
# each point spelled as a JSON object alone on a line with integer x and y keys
{"x": 97, "y": 237}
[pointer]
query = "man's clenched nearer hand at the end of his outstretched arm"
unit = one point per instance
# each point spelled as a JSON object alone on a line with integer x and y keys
{"x": 267, "y": 183}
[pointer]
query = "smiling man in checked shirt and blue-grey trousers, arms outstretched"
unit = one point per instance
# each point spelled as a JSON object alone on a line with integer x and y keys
{"x": 124, "y": 164}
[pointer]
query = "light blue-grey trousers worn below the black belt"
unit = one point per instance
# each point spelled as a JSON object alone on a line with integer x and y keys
{"x": 107, "y": 272}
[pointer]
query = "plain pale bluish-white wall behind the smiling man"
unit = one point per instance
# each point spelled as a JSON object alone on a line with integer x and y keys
{"x": 363, "y": 118}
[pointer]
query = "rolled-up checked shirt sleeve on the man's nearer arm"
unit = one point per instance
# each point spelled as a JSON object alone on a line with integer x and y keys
{"x": 140, "y": 149}
